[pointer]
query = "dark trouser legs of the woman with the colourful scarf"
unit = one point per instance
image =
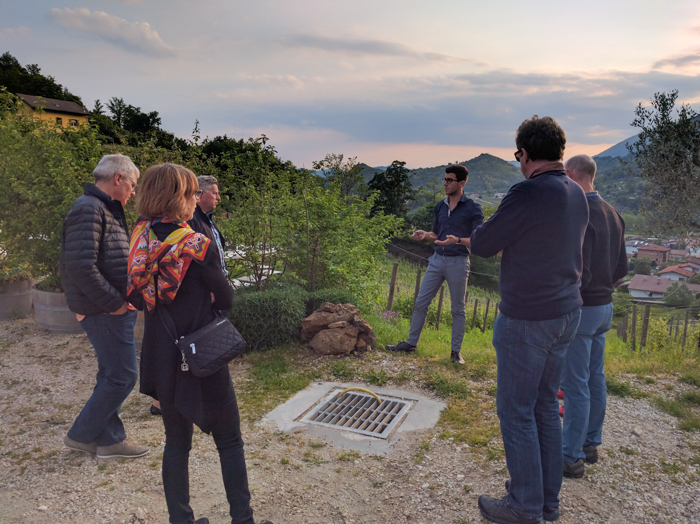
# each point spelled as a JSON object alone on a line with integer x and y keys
{"x": 178, "y": 443}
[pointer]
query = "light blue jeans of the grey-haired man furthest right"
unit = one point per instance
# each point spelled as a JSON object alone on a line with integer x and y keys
{"x": 583, "y": 383}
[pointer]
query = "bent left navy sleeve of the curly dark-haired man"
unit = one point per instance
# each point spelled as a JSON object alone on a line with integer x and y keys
{"x": 504, "y": 226}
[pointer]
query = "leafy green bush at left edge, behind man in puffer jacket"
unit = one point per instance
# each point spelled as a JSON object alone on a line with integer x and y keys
{"x": 42, "y": 171}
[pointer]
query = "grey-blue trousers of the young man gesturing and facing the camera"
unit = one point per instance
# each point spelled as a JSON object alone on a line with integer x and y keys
{"x": 456, "y": 271}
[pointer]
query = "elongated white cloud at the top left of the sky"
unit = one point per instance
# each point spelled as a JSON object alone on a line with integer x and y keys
{"x": 137, "y": 37}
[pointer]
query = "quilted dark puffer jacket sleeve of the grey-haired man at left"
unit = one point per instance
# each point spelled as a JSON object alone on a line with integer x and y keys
{"x": 82, "y": 236}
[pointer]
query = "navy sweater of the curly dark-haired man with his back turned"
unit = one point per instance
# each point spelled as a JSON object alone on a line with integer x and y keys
{"x": 539, "y": 226}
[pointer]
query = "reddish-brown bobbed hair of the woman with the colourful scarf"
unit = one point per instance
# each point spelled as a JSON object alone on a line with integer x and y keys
{"x": 164, "y": 191}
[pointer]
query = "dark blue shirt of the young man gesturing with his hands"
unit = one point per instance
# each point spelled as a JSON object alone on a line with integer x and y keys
{"x": 460, "y": 222}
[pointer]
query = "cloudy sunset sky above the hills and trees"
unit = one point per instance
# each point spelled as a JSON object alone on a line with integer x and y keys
{"x": 423, "y": 82}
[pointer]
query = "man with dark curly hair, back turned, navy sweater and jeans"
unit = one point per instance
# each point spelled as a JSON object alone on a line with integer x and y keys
{"x": 539, "y": 227}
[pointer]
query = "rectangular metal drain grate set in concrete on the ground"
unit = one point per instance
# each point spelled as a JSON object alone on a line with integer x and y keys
{"x": 359, "y": 413}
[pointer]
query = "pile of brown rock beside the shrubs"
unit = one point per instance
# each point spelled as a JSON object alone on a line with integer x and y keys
{"x": 337, "y": 329}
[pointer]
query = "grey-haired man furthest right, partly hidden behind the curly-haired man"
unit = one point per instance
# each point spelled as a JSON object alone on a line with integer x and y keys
{"x": 583, "y": 382}
